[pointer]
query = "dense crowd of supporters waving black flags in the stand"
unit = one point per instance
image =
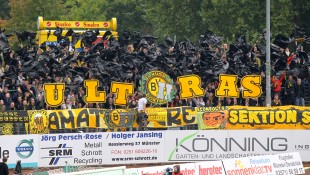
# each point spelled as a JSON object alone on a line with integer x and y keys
{"x": 127, "y": 58}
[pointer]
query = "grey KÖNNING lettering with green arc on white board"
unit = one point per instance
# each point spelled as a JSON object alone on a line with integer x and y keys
{"x": 196, "y": 144}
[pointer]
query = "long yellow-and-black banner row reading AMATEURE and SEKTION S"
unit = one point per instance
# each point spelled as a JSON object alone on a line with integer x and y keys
{"x": 232, "y": 117}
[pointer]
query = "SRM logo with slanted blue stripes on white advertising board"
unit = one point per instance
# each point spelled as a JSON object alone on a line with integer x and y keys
{"x": 55, "y": 153}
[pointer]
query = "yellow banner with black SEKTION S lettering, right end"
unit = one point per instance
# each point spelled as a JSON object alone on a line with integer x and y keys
{"x": 281, "y": 117}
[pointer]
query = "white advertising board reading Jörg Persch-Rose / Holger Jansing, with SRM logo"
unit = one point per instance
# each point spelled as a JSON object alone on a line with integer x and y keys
{"x": 101, "y": 148}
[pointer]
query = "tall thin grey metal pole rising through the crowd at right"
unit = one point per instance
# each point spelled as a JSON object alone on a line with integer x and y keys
{"x": 268, "y": 88}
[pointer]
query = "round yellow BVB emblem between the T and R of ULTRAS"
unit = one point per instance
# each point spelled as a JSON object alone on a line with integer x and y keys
{"x": 158, "y": 87}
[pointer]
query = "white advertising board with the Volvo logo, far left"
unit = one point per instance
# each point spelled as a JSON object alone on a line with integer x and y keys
{"x": 19, "y": 147}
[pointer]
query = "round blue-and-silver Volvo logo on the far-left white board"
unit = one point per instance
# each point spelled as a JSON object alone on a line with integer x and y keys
{"x": 24, "y": 148}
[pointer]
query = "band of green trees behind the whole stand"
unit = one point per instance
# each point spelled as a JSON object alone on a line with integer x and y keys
{"x": 182, "y": 18}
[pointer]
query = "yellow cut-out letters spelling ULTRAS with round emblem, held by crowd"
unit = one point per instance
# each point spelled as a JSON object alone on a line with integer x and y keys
{"x": 159, "y": 88}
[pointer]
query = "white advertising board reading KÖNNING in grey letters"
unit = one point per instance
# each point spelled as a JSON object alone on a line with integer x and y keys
{"x": 186, "y": 146}
